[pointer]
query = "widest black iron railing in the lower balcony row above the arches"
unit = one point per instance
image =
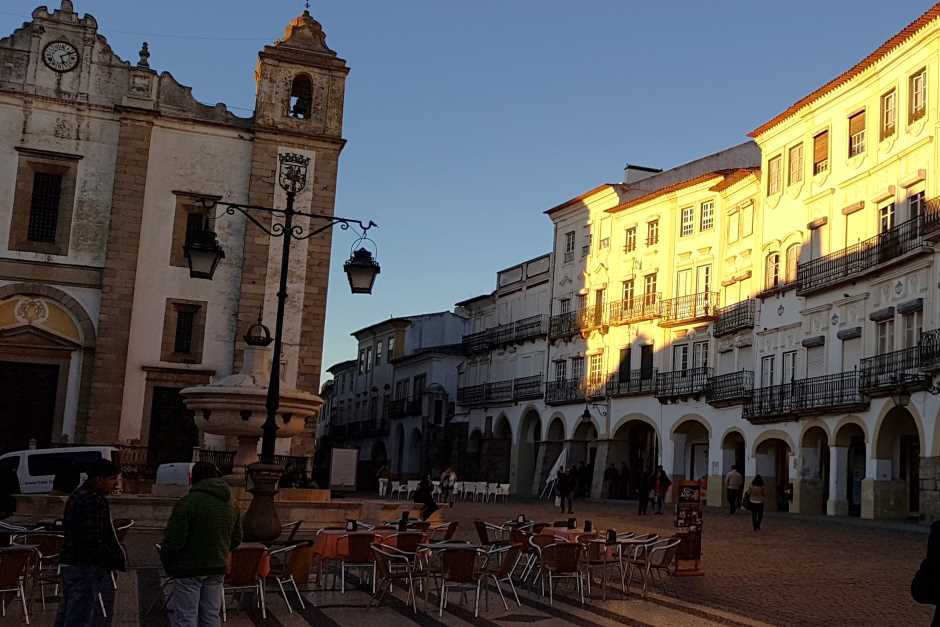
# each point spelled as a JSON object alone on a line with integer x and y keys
{"x": 825, "y": 394}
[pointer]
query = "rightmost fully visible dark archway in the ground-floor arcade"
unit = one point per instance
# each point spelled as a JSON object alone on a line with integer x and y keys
{"x": 897, "y": 462}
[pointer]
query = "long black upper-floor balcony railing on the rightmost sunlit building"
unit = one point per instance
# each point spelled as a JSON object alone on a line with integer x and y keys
{"x": 850, "y": 263}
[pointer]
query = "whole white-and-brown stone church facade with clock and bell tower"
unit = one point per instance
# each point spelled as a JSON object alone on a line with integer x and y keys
{"x": 103, "y": 164}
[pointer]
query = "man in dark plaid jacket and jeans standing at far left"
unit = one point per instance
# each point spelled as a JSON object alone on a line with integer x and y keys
{"x": 90, "y": 551}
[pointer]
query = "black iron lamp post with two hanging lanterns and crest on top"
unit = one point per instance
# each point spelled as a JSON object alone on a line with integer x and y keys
{"x": 203, "y": 254}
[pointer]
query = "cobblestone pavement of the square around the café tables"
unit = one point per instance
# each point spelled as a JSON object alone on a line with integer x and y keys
{"x": 796, "y": 571}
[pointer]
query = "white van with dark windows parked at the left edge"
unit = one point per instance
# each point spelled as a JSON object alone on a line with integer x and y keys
{"x": 36, "y": 468}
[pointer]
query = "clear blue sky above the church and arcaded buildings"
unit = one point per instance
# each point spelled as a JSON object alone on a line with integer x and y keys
{"x": 466, "y": 120}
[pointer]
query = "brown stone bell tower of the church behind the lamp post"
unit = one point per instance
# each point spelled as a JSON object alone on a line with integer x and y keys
{"x": 301, "y": 86}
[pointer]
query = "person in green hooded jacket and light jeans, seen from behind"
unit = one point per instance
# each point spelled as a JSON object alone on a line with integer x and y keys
{"x": 203, "y": 529}
